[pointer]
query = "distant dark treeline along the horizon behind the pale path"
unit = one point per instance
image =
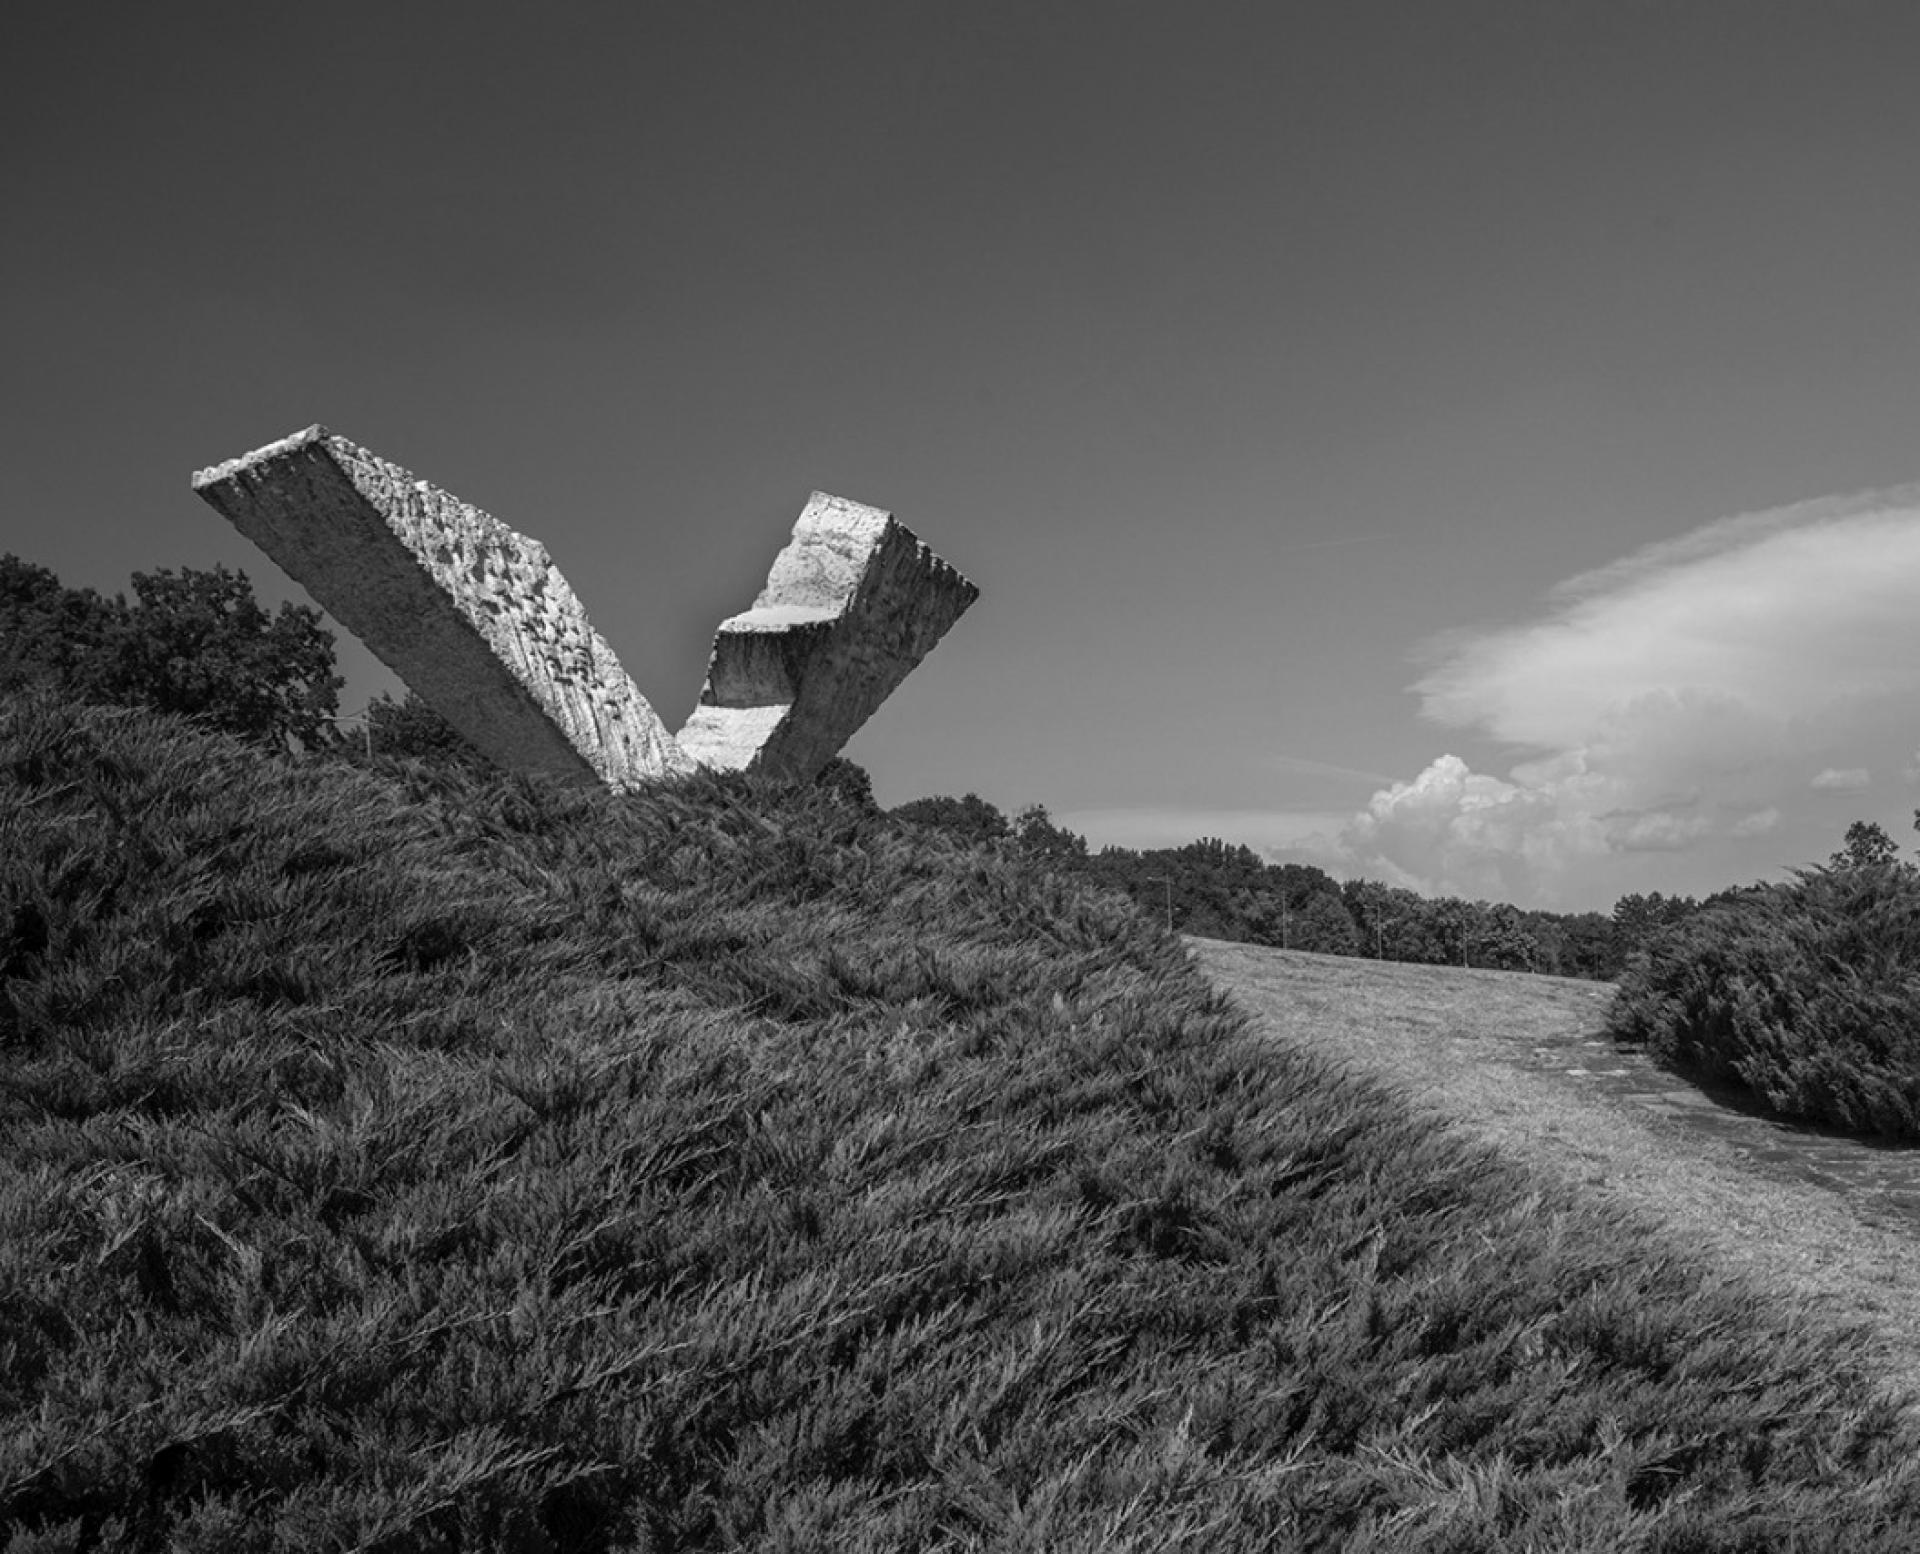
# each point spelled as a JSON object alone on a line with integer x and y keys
{"x": 1228, "y": 892}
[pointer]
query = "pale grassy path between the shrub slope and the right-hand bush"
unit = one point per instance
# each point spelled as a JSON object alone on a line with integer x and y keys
{"x": 1522, "y": 1063}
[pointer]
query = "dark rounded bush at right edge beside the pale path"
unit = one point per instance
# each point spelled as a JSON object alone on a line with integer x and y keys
{"x": 1808, "y": 994}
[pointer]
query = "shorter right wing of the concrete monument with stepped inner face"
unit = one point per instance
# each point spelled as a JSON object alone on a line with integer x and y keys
{"x": 850, "y": 608}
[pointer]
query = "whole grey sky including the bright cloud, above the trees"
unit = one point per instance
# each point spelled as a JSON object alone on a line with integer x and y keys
{"x": 1458, "y": 445}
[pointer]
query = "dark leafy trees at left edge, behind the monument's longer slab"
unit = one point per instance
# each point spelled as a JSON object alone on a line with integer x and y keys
{"x": 195, "y": 644}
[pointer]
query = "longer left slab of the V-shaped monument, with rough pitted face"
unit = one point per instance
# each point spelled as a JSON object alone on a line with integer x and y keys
{"x": 473, "y": 616}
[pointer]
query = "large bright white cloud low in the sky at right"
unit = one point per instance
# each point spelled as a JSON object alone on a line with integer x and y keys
{"x": 1666, "y": 702}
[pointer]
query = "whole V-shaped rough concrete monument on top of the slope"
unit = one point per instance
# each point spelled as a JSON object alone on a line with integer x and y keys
{"x": 479, "y": 621}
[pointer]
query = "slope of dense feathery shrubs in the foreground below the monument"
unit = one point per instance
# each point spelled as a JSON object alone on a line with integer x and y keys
{"x": 395, "y": 1161}
